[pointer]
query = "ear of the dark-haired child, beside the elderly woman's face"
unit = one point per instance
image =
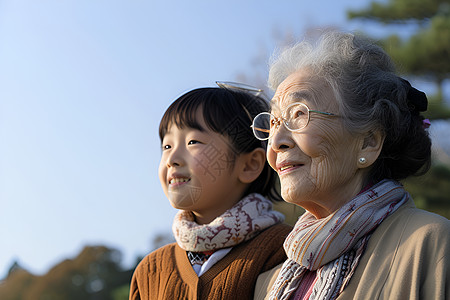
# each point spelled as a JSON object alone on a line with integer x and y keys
{"x": 251, "y": 165}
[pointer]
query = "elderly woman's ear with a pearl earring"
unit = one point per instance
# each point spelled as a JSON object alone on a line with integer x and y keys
{"x": 371, "y": 148}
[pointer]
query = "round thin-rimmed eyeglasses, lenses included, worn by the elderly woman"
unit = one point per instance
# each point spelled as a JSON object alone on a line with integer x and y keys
{"x": 295, "y": 117}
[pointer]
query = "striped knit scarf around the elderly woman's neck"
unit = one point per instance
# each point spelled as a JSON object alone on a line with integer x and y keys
{"x": 332, "y": 246}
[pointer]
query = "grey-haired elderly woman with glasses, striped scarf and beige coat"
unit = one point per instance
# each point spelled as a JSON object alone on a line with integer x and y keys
{"x": 343, "y": 130}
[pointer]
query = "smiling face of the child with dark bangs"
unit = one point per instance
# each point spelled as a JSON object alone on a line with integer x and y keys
{"x": 196, "y": 170}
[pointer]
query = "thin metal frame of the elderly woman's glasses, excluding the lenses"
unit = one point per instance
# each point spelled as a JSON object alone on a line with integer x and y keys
{"x": 280, "y": 120}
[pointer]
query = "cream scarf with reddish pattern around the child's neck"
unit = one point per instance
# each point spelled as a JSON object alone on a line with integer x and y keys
{"x": 242, "y": 222}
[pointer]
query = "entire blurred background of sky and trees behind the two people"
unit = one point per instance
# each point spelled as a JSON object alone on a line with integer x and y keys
{"x": 84, "y": 83}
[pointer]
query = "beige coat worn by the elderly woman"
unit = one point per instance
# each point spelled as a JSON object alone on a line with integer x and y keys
{"x": 408, "y": 257}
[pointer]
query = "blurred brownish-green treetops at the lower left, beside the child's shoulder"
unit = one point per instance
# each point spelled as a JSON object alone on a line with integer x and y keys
{"x": 94, "y": 274}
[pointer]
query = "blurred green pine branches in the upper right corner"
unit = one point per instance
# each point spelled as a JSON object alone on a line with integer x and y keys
{"x": 426, "y": 53}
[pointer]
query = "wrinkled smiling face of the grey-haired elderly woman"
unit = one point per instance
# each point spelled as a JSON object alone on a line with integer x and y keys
{"x": 318, "y": 165}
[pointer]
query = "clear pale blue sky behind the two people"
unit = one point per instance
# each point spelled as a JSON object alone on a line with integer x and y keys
{"x": 83, "y": 85}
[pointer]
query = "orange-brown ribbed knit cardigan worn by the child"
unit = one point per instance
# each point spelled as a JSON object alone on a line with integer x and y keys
{"x": 167, "y": 273}
